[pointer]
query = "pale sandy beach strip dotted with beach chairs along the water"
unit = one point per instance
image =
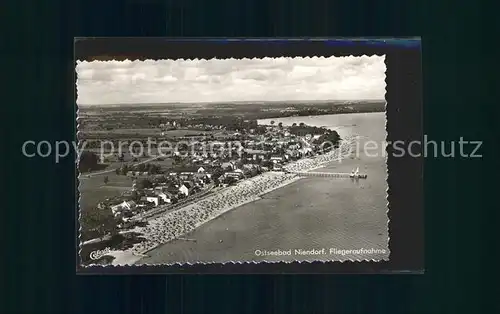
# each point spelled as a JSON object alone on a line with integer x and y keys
{"x": 195, "y": 215}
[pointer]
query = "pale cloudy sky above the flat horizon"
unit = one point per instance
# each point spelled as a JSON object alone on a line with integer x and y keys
{"x": 226, "y": 80}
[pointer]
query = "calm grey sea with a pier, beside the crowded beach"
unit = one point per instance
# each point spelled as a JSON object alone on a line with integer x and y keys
{"x": 333, "y": 219}
